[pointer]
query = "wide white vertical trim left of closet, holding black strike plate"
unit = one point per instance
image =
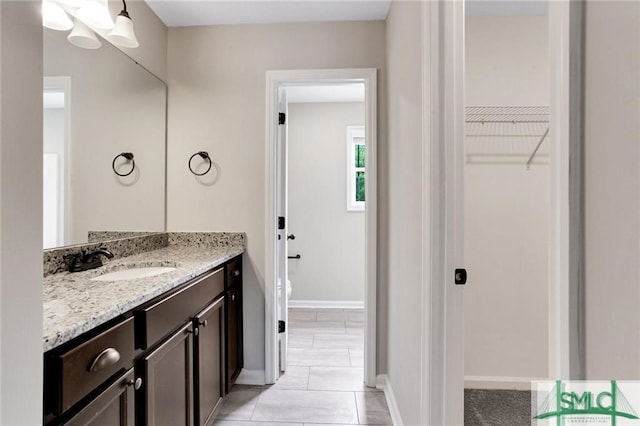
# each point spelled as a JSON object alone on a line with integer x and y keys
{"x": 442, "y": 362}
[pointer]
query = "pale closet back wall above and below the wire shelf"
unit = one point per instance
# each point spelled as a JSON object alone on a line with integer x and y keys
{"x": 506, "y": 210}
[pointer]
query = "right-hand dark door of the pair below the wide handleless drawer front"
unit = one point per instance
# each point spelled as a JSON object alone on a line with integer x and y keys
{"x": 208, "y": 365}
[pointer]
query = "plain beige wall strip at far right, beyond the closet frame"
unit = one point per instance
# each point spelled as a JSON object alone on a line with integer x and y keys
{"x": 612, "y": 189}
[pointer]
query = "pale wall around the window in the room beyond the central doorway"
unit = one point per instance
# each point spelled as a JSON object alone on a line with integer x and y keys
{"x": 329, "y": 238}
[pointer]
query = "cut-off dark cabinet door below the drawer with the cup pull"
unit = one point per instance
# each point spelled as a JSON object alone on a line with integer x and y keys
{"x": 113, "y": 407}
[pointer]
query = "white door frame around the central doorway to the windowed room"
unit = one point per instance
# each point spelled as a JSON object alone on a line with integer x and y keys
{"x": 276, "y": 79}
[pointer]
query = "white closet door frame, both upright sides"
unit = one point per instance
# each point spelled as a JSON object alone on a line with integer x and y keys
{"x": 443, "y": 115}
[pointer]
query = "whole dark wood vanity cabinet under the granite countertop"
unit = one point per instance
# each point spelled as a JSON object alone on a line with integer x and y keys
{"x": 177, "y": 356}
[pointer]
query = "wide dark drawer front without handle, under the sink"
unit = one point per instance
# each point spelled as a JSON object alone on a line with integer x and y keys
{"x": 160, "y": 318}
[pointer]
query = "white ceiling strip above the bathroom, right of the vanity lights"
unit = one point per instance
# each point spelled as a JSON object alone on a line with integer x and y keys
{"x": 182, "y": 13}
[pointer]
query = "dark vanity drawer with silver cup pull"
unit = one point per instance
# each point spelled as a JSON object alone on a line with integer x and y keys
{"x": 88, "y": 365}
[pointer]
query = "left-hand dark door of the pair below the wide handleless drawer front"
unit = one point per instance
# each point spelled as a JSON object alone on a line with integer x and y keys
{"x": 168, "y": 381}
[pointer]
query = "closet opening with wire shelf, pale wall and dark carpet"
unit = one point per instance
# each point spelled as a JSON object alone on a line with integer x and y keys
{"x": 507, "y": 208}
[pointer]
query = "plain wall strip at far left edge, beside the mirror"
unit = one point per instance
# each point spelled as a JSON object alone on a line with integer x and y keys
{"x": 21, "y": 213}
